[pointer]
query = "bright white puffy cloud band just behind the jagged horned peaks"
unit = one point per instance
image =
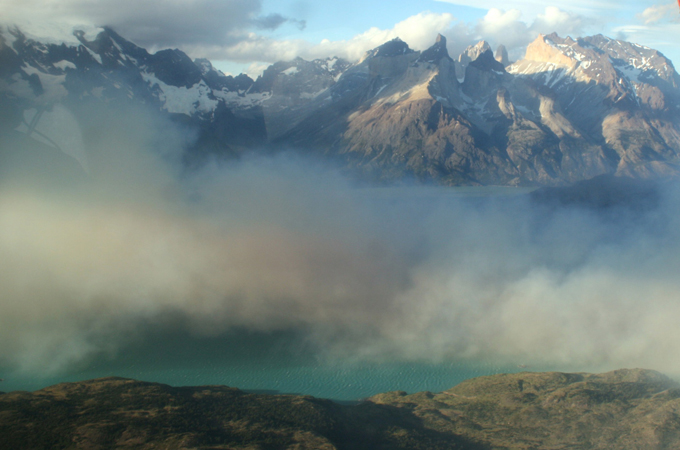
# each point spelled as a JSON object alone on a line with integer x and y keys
{"x": 419, "y": 31}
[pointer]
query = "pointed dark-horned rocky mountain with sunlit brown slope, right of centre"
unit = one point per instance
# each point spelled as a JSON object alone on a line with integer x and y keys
{"x": 397, "y": 116}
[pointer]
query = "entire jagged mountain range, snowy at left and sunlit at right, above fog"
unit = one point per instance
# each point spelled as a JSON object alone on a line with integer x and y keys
{"x": 570, "y": 110}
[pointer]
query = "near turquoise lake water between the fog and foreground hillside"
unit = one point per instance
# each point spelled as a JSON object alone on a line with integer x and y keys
{"x": 269, "y": 363}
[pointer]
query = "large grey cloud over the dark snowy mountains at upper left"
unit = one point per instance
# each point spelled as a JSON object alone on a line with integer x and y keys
{"x": 151, "y": 23}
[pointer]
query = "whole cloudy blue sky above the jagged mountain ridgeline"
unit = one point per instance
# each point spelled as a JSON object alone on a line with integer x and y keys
{"x": 247, "y": 35}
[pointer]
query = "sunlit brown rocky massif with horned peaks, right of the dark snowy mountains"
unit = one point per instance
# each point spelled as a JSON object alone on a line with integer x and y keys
{"x": 570, "y": 110}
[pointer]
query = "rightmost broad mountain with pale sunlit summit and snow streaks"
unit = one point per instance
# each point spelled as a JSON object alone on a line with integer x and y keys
{"x": 620, "y": 96}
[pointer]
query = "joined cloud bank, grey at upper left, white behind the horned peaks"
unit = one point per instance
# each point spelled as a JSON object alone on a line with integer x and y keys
{"x": 231, "y": 30}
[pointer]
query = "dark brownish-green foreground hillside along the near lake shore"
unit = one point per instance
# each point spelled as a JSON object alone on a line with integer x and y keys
{"x": 627, "y": 408}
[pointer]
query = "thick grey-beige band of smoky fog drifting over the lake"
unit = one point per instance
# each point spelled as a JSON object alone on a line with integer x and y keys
{"x": 285, "y": 245}
